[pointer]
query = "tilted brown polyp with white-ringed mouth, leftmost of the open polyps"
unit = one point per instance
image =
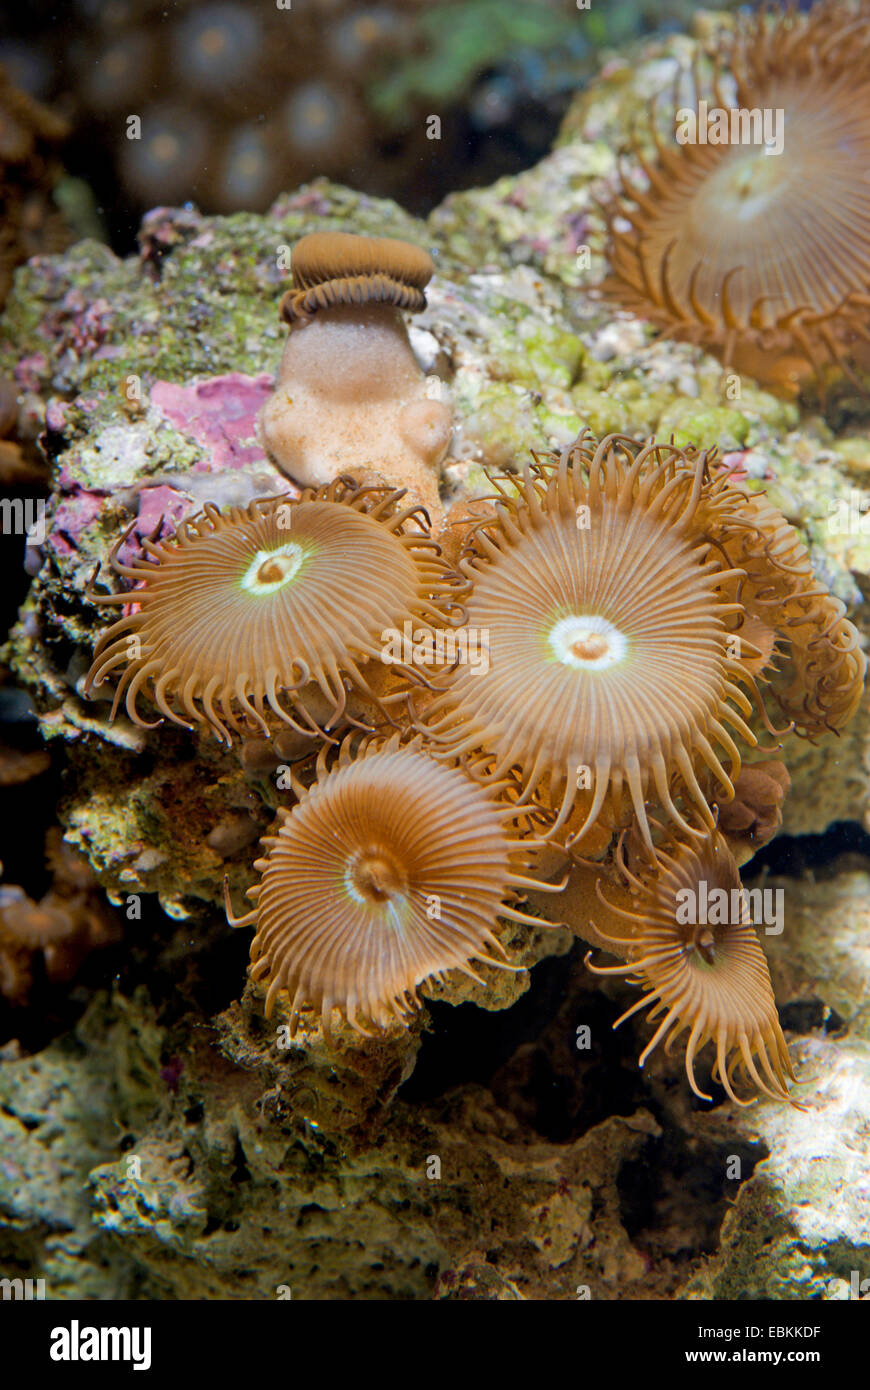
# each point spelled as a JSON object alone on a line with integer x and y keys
{"x": 272, "y": 610}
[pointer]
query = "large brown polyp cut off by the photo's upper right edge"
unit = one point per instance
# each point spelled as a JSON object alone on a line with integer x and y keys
{"x": 758, "y": 250}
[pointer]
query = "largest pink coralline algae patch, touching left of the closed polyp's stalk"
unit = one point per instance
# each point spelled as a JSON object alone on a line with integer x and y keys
{"x": 219, "y": 415}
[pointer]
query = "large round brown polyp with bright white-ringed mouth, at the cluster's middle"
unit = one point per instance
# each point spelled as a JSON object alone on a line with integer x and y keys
{"x": 609, "y": 678}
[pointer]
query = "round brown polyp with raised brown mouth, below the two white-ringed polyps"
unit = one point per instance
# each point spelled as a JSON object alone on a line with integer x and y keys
{"x": 390, "y": 871}
